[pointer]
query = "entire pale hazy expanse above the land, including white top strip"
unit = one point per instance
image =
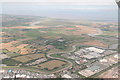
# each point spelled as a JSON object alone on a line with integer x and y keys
{"x": 77, "y": 9}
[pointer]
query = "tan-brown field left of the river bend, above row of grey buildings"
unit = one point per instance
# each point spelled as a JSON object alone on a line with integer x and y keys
{"x": 29, "y": 57}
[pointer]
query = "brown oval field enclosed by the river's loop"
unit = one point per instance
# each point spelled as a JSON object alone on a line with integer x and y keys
{"x": 51, "y": 64}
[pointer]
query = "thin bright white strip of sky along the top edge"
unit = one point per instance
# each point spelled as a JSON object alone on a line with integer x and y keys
{"x": 97, "y": 2}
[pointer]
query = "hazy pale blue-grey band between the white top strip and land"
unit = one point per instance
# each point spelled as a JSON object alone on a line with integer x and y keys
{"x": 82, "y": 12}
